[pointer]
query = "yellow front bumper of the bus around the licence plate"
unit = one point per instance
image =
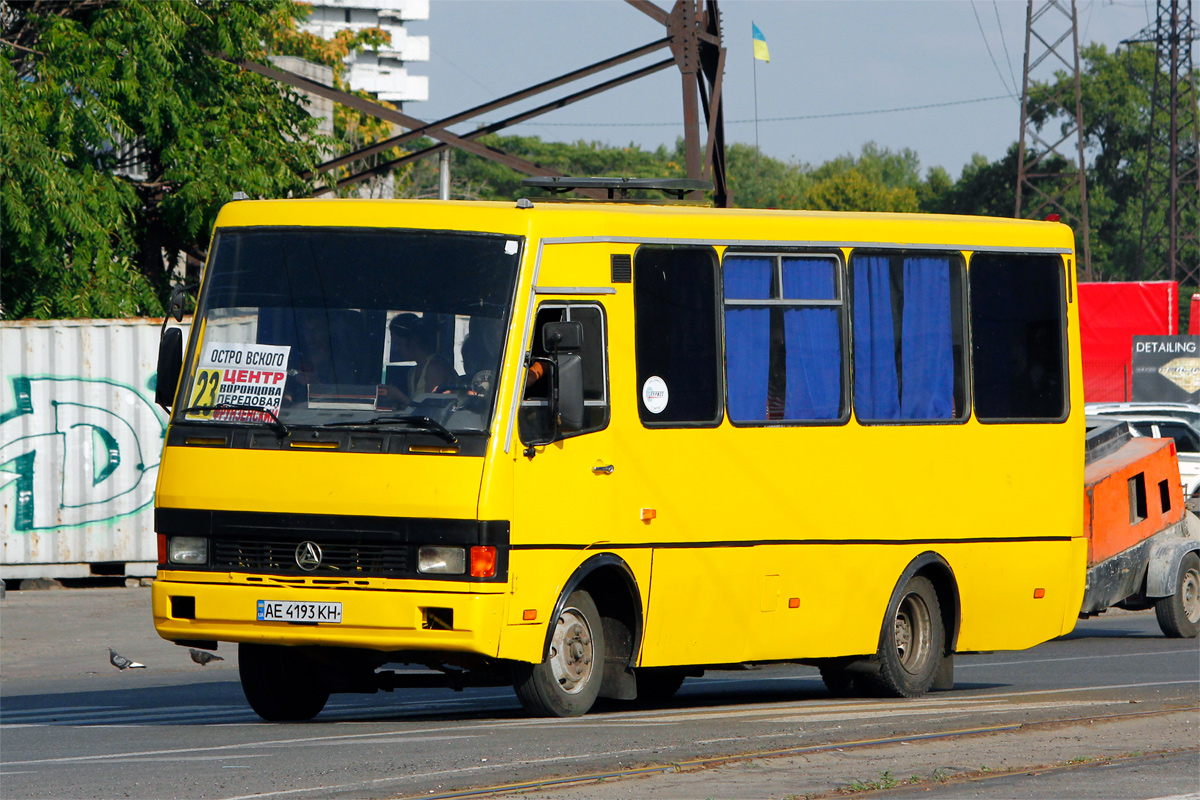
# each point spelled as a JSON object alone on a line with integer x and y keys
{"x": 388, "y": 621}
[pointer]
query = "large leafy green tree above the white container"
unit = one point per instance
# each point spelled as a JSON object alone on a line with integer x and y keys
{"x": 124, "y": 133}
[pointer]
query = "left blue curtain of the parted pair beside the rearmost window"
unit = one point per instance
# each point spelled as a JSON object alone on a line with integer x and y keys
{"x": 877, "y": 384}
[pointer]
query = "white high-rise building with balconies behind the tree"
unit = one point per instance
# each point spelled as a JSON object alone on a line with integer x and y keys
{"x": 382, "y": 74}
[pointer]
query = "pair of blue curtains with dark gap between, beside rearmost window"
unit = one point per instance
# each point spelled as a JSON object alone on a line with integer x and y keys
{"x": 925, "y": 388}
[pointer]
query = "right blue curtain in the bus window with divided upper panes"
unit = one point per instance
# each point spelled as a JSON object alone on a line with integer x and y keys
{"x": 814, "y": 347}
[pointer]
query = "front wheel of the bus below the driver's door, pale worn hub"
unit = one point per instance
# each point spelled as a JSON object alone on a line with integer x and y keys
{"x": 567, "y": 683}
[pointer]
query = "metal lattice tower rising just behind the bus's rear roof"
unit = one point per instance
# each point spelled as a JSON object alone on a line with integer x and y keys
{"x": 1051, "y": 172}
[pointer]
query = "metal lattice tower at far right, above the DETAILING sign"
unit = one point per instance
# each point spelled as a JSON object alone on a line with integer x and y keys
{"x": 1171, "y": 224}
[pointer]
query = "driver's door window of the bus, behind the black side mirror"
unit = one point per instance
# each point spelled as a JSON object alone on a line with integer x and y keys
{"x": 535, "y": 424}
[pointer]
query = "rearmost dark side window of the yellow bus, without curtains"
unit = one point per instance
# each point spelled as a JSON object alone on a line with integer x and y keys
{"x": 1018, "y": 329}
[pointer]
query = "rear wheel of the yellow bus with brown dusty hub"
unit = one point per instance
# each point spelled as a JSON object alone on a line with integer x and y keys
{"x": 911, "y": 645}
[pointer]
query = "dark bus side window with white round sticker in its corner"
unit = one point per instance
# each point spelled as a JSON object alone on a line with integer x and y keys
{"x": 677, "y": 338}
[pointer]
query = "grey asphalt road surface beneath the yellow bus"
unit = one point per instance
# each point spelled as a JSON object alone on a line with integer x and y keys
{"x": 75, "y": 727}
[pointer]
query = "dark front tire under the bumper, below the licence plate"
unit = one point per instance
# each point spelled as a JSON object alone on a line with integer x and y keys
{"x": 280, "y": 683}
